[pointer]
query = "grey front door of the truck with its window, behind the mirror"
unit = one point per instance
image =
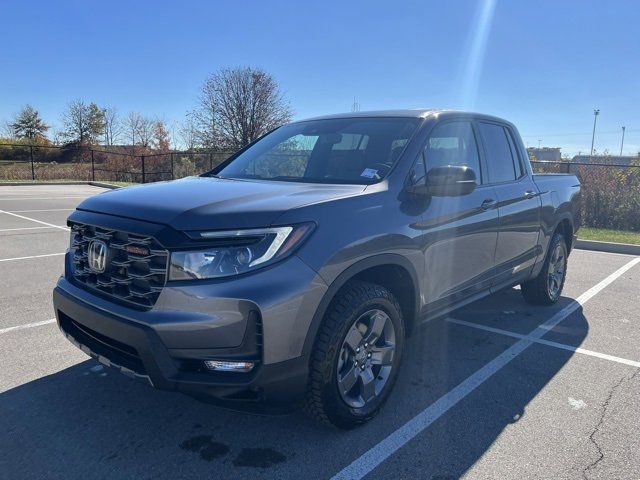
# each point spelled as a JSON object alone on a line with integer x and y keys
{"x": 461, "y": 231}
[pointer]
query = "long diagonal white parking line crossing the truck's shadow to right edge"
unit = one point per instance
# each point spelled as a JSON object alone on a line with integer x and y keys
{"x": 387, "y": 447}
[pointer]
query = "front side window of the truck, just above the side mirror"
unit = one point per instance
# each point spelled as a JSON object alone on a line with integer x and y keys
{"x": 453, "y": 143}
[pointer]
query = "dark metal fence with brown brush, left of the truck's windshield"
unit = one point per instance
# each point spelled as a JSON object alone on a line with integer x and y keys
{"x": 45, "y": 162}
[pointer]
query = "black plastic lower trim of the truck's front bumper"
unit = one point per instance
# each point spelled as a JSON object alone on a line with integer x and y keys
{"x": 272, "y": 384}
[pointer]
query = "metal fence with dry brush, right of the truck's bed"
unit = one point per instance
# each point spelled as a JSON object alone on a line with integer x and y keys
{"x": 610, "y": 192}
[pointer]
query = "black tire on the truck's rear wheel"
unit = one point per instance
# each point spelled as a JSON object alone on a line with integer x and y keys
{"x": 539, "y": 291}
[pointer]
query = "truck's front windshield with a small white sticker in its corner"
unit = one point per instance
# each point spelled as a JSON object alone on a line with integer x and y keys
{"x": 345, "y": 150}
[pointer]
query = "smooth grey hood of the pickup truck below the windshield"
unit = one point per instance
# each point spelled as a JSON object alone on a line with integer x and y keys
{"x": 197, "y": 203}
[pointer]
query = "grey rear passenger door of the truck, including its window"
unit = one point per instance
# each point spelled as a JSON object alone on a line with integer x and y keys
{"x": 518, "y": 202}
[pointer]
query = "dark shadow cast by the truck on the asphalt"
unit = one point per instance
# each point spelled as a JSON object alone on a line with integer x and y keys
{"x": 86, "y": 420}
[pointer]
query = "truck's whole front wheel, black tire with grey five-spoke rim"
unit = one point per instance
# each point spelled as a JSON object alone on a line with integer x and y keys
{"x": 356, "y": 356}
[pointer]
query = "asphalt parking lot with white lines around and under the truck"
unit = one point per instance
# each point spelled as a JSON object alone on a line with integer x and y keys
{"x": 499, "y": 389}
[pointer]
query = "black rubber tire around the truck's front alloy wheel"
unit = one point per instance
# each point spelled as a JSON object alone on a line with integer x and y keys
{"x": 324, "y": 400}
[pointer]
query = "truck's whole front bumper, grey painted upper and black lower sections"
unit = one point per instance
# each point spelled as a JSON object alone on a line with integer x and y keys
{"x": 165, "y": 346}
